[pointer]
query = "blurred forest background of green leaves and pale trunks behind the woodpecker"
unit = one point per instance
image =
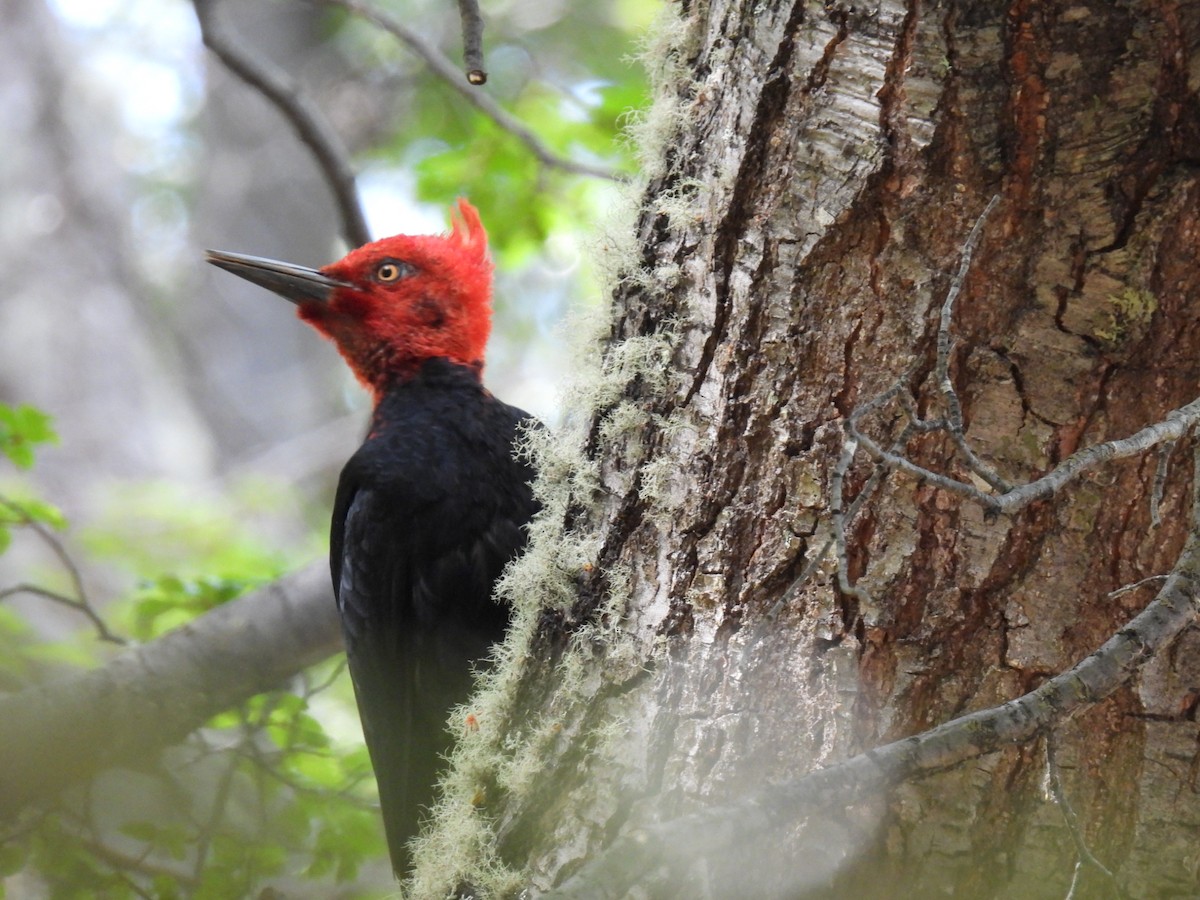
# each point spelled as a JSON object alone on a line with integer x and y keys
{"x": 188, "y": 431}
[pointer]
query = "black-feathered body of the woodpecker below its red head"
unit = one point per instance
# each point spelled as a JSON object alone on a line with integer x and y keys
{"x": 429, "y": 512}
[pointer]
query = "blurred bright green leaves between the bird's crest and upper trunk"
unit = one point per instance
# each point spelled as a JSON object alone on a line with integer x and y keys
{"x": 573, "y": 98}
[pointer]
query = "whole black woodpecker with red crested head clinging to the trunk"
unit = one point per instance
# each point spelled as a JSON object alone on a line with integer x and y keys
{"x": 435, "y": 503}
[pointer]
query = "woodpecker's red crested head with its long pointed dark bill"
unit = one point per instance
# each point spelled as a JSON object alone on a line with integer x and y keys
{"x": 393, "y": 304}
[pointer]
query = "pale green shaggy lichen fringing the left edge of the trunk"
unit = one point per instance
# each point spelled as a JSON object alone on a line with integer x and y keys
{"x": 613, "y": 386}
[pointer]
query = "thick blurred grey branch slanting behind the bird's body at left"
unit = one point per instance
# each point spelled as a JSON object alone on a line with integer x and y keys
{"x": 149, "y": 698}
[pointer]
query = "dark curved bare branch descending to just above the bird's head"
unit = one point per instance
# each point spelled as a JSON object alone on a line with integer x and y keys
{"x": 305, "y": 117}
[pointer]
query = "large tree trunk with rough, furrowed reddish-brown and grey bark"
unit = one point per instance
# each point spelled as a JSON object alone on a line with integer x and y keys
{"x": 814, "y": 173}
